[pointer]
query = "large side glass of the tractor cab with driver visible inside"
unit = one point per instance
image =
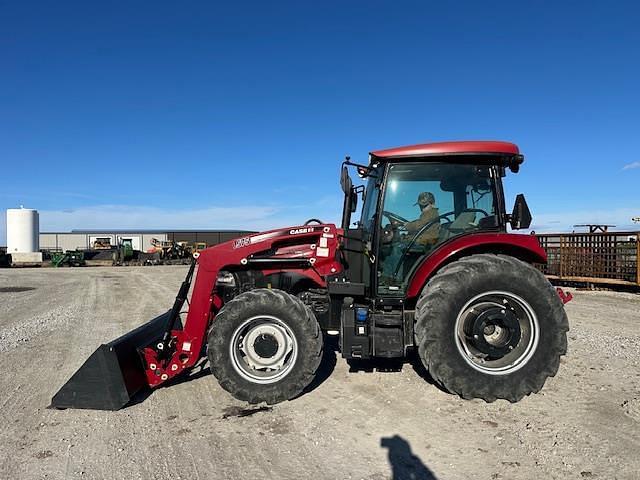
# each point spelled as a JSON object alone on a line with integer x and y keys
{"x": 424, "y": 205}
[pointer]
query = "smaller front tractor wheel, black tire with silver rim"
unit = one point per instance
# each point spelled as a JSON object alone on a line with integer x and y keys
{"x": 264, "y": 346}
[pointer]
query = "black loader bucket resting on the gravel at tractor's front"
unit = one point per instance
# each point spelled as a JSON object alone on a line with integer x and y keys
{"x": 113, "y": 373}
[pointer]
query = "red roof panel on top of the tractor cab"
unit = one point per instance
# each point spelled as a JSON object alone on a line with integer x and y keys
{"x": 480, "y": 148}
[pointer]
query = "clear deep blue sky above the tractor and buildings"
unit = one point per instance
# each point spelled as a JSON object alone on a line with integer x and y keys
{"x": 220, "y": 115}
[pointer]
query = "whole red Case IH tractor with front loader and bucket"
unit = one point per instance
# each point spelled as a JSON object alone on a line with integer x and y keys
{"x": 428, "y": 267}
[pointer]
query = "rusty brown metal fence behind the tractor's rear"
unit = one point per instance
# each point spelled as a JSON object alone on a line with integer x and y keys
{"x": 609, "y": 258}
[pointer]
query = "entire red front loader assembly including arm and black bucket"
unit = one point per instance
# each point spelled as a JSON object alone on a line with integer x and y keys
{"x": 165, "y": 347}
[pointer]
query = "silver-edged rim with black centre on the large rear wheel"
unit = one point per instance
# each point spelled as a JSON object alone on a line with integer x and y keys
{"x": 497, "y": 332}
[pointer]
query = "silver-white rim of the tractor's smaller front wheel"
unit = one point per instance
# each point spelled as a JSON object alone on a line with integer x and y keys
{"x": 263, "y": 349}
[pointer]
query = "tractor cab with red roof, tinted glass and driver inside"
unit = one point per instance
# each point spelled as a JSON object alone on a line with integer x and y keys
{"x": 418, "y": 198}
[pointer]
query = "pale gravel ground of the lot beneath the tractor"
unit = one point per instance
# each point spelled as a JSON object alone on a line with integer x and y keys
{"x": 379, "y": 425}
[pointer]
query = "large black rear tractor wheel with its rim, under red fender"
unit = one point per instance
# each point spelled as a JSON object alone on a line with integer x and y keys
{"x": 490, "y": 326}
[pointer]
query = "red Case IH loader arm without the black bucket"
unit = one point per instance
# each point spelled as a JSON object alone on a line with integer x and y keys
{"x": 308, "y": 250}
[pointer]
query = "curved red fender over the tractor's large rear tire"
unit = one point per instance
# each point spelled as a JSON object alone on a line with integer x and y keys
{"x": 524, "y": 247}
